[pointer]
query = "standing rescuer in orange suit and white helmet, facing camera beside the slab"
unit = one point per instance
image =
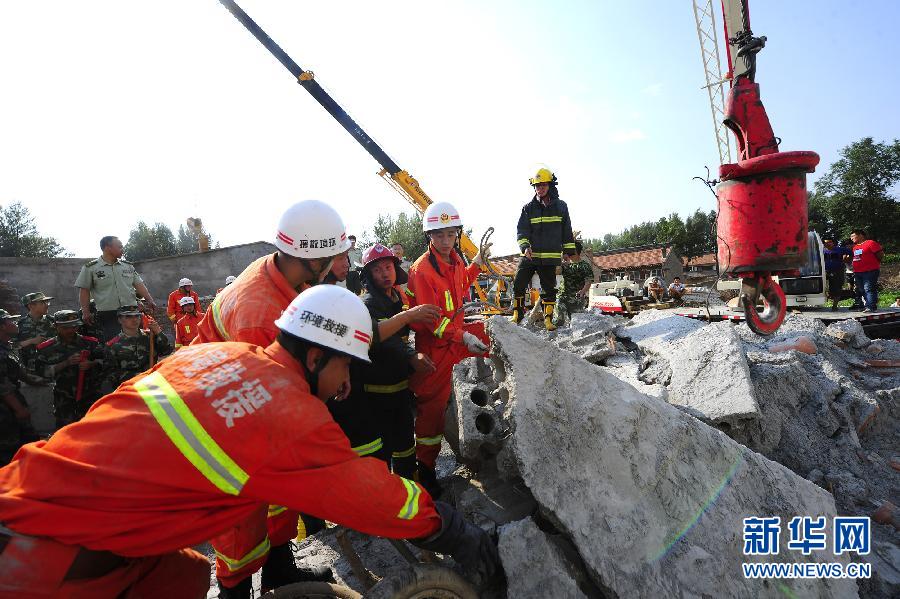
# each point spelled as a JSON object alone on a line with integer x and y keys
{"x": 441, "y": 277}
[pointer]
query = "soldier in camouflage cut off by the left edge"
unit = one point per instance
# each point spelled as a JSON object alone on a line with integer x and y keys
{"x": 15, "y": 419}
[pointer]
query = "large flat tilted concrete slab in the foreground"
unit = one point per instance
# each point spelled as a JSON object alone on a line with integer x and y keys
{"x": 652, "y": 498}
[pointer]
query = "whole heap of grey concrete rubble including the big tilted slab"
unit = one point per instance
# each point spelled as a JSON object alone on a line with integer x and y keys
{"x": 619, "y": 458}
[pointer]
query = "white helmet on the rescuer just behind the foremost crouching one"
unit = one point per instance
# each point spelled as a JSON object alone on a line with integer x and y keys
{"x": 311, "y": 229}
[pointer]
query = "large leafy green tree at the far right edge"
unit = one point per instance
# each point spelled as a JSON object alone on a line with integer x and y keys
{"x": 855, "y": 192}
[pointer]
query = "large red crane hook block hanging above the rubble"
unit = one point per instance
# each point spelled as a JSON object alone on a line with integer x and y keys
{"x": 762, "y": 224}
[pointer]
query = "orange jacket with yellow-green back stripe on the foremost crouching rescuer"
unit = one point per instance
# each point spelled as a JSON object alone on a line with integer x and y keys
{"x": 181, "y": 454}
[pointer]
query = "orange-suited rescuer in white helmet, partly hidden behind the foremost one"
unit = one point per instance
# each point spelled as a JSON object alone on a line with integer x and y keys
{"x": 309, "y": 238}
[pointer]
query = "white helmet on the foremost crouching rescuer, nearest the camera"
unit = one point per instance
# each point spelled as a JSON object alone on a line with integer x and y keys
{"x": 332, "y": 317}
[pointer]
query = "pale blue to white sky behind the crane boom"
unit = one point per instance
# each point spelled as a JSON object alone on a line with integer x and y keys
{"x": 117, "y": 111}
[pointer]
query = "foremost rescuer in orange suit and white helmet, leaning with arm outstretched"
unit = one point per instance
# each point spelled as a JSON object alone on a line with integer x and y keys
{"x": 212, "y": 435}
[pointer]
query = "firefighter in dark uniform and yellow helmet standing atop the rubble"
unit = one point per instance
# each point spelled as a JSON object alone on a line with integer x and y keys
{"x": 544, "y": 235}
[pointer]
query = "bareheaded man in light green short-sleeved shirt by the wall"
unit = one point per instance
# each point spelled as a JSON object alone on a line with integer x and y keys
{"x": 111, "y": 282}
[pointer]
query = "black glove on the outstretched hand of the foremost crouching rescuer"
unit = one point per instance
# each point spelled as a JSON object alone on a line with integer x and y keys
{"x": 470, "y": 546}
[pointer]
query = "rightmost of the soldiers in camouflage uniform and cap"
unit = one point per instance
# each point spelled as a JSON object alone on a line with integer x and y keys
{"x": 128, "y": 353}
